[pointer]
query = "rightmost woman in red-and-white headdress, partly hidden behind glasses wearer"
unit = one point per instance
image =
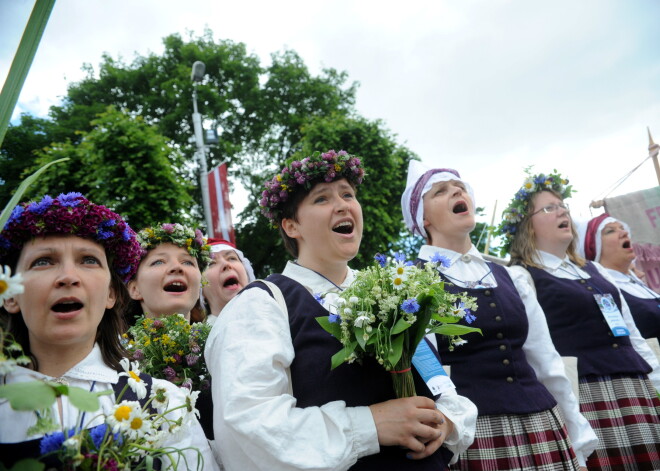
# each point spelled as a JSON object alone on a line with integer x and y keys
{"x": 607, "y": 240}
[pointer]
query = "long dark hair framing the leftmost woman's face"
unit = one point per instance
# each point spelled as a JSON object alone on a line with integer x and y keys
{"x": 108, "y": 332}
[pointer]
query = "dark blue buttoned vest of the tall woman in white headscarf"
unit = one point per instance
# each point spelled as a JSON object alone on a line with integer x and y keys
{"x": 492, "y": 369}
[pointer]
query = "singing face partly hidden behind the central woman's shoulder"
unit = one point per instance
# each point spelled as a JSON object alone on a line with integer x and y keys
{"x": 226, "y": 276}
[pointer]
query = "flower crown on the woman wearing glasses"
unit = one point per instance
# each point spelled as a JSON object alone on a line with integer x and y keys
{"x": 516, "y": 212}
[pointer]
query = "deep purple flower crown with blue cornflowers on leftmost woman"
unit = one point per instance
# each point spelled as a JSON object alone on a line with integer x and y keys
{"x": 73, "y": 214}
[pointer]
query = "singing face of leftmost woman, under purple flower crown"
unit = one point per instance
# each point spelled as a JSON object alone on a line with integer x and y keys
{"x": 67, "y": 289}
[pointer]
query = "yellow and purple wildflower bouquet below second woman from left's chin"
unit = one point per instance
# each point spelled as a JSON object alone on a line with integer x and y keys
{"x": 171, "y": 348}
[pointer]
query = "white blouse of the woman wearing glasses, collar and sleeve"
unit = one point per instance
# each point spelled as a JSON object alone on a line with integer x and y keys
{"x": 564, "y": 268}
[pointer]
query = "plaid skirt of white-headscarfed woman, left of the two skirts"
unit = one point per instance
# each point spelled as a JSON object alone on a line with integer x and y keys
{"x": 536, "y": 441}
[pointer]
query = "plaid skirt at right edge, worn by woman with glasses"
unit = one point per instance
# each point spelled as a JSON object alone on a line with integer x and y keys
{"x": 624, "y": 411}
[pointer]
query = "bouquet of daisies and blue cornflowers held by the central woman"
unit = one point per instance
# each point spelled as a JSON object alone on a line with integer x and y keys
{"x": 389, "y": 309}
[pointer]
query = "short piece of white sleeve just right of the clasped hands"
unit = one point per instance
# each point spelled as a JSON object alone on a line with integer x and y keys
{"x": 463, "y": 414}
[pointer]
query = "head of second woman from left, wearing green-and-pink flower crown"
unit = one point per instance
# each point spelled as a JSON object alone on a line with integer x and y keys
{"x": 169, "y": 277}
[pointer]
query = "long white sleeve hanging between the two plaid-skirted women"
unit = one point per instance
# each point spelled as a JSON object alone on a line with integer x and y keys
{"x": 549, "y": 368}
